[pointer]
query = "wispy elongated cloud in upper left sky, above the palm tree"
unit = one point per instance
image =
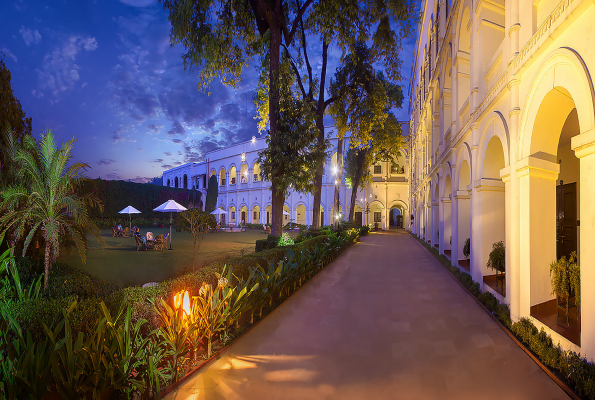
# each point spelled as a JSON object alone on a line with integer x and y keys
{"x": 60, "y": 71}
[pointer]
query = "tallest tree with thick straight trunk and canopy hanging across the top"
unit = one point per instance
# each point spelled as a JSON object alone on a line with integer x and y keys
{"x": 220, "y": 36}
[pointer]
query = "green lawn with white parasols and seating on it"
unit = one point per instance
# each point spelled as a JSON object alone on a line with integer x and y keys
{"x": 121, "y": 264}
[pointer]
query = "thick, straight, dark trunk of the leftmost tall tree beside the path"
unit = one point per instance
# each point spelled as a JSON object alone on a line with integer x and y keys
{"x": 278, "y": 195}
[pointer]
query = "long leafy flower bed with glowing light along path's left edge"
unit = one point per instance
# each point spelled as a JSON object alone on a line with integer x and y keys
{"x": 152, "y": 341}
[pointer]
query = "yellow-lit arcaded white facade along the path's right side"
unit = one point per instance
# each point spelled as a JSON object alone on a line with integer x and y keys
{"x": 502, "y": 145}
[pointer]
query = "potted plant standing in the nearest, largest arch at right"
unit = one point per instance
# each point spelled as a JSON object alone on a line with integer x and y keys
{"x": 565, "y": 277}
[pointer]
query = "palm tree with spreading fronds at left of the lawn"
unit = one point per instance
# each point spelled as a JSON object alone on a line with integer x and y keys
{"x": 45, "y": 199}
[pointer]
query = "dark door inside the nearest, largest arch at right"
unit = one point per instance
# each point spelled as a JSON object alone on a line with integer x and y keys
{"x": 566, "y": 222}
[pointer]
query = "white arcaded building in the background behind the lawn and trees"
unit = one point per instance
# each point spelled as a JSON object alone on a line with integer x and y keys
{"x": 247, "y": 199}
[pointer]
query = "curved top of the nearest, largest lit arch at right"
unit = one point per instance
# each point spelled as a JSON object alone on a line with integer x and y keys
{"x": 566, "y": 72}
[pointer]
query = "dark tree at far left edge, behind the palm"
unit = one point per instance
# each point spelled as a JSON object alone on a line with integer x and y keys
{"x": 12, "y": 117}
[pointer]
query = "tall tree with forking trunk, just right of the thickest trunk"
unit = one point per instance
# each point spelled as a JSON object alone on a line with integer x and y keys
{"x": 384, "y": 23}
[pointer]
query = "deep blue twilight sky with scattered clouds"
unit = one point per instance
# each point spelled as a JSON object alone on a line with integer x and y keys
{"x": 104, "y": 72}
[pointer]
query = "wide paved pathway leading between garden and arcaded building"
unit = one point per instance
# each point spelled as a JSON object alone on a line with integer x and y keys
{"x": 383, "y": 321}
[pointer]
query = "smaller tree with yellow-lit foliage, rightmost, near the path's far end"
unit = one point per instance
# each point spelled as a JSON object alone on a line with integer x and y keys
{"x": 363, "y": 110}
